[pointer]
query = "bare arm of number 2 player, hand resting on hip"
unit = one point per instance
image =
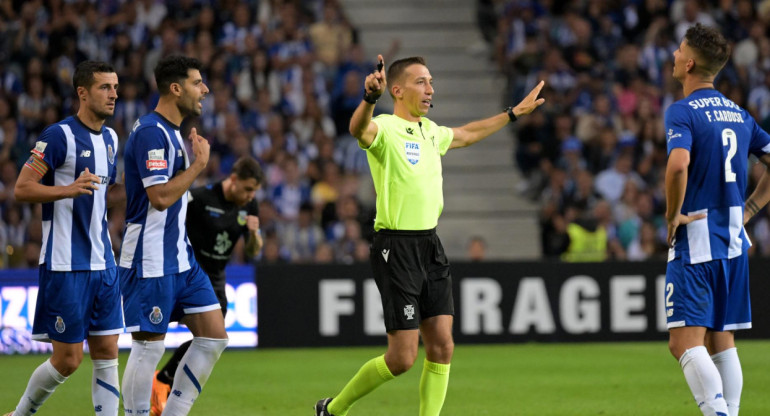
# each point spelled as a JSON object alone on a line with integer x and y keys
{"x": 676, "y": 185}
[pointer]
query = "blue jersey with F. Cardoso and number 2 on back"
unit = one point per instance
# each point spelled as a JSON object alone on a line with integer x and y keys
{"x": 719, "y": 136}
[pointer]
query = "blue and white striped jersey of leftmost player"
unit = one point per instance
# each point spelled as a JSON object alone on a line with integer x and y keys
{"x": 75, "y": 233}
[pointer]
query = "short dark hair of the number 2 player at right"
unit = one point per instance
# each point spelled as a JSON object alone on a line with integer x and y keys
{"x": 710, "y": 47}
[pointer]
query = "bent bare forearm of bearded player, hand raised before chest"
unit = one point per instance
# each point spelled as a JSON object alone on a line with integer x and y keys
{"x": 164, "y": 195}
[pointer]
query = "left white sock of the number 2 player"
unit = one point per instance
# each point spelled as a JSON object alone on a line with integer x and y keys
{"x": 704, "y": 380}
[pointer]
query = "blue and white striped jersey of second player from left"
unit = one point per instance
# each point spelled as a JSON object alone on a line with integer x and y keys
{"x": 154, "y": 242}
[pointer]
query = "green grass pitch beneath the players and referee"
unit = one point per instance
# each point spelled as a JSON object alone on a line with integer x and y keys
{"x": 515, "y": 379}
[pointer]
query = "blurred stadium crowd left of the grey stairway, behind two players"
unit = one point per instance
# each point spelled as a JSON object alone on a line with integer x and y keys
{"x": 284, "y": 76}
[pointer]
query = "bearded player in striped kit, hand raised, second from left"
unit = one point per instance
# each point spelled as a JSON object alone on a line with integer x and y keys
{"x": 160, "y": 279}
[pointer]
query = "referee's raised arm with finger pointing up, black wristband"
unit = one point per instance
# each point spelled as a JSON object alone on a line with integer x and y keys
{"x": 361, "y": 126}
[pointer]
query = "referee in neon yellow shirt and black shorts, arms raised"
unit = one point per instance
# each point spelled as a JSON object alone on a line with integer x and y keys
{"x": 411, "y": 271}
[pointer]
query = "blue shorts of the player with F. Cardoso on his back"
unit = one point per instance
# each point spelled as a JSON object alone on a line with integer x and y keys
{"x": 714, "y": 294}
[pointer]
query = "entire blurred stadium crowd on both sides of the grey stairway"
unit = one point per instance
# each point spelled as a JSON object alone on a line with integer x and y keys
{"x": 286, "y": 75}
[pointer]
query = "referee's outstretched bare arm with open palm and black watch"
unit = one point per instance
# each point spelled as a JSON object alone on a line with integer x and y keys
{"x": 481, "y": 129}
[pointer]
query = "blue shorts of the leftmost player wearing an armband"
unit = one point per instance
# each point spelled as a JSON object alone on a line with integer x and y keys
{"x": 74, "y": 305}
